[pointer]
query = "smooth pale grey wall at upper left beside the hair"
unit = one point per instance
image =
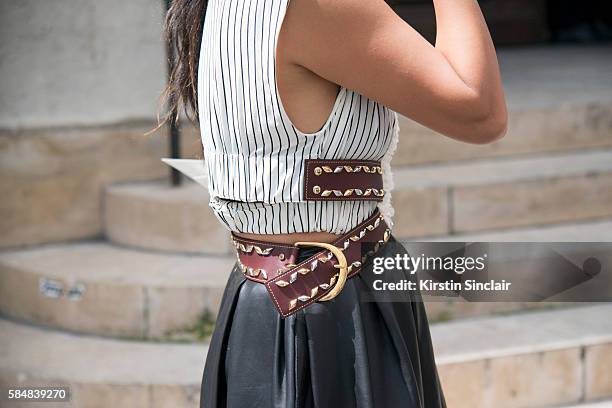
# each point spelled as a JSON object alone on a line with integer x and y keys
{"x": 85, "y": 62}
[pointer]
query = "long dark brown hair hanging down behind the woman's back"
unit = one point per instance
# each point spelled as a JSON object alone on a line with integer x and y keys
{"x": 183, "y": 34}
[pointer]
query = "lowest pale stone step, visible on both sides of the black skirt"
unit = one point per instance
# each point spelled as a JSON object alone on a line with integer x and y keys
{"x": 532, "y": 360}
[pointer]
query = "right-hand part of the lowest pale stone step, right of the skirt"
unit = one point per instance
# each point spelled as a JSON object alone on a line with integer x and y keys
{"x": 539, "y": 359}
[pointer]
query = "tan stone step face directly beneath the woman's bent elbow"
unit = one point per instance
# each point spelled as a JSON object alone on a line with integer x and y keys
{"x": 533, "y": 131}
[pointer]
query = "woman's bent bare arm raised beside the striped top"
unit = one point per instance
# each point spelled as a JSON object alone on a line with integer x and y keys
{"x": 453, "y": 88}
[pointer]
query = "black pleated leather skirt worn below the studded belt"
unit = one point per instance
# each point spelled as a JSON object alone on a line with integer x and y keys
{"x": 361, "y": 349}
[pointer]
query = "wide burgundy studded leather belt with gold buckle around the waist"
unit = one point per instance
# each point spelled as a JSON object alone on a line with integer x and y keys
{"x": 321, "y": 277}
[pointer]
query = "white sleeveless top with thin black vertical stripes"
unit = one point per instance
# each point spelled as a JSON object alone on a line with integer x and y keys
{"x": 252, "y": 152}
